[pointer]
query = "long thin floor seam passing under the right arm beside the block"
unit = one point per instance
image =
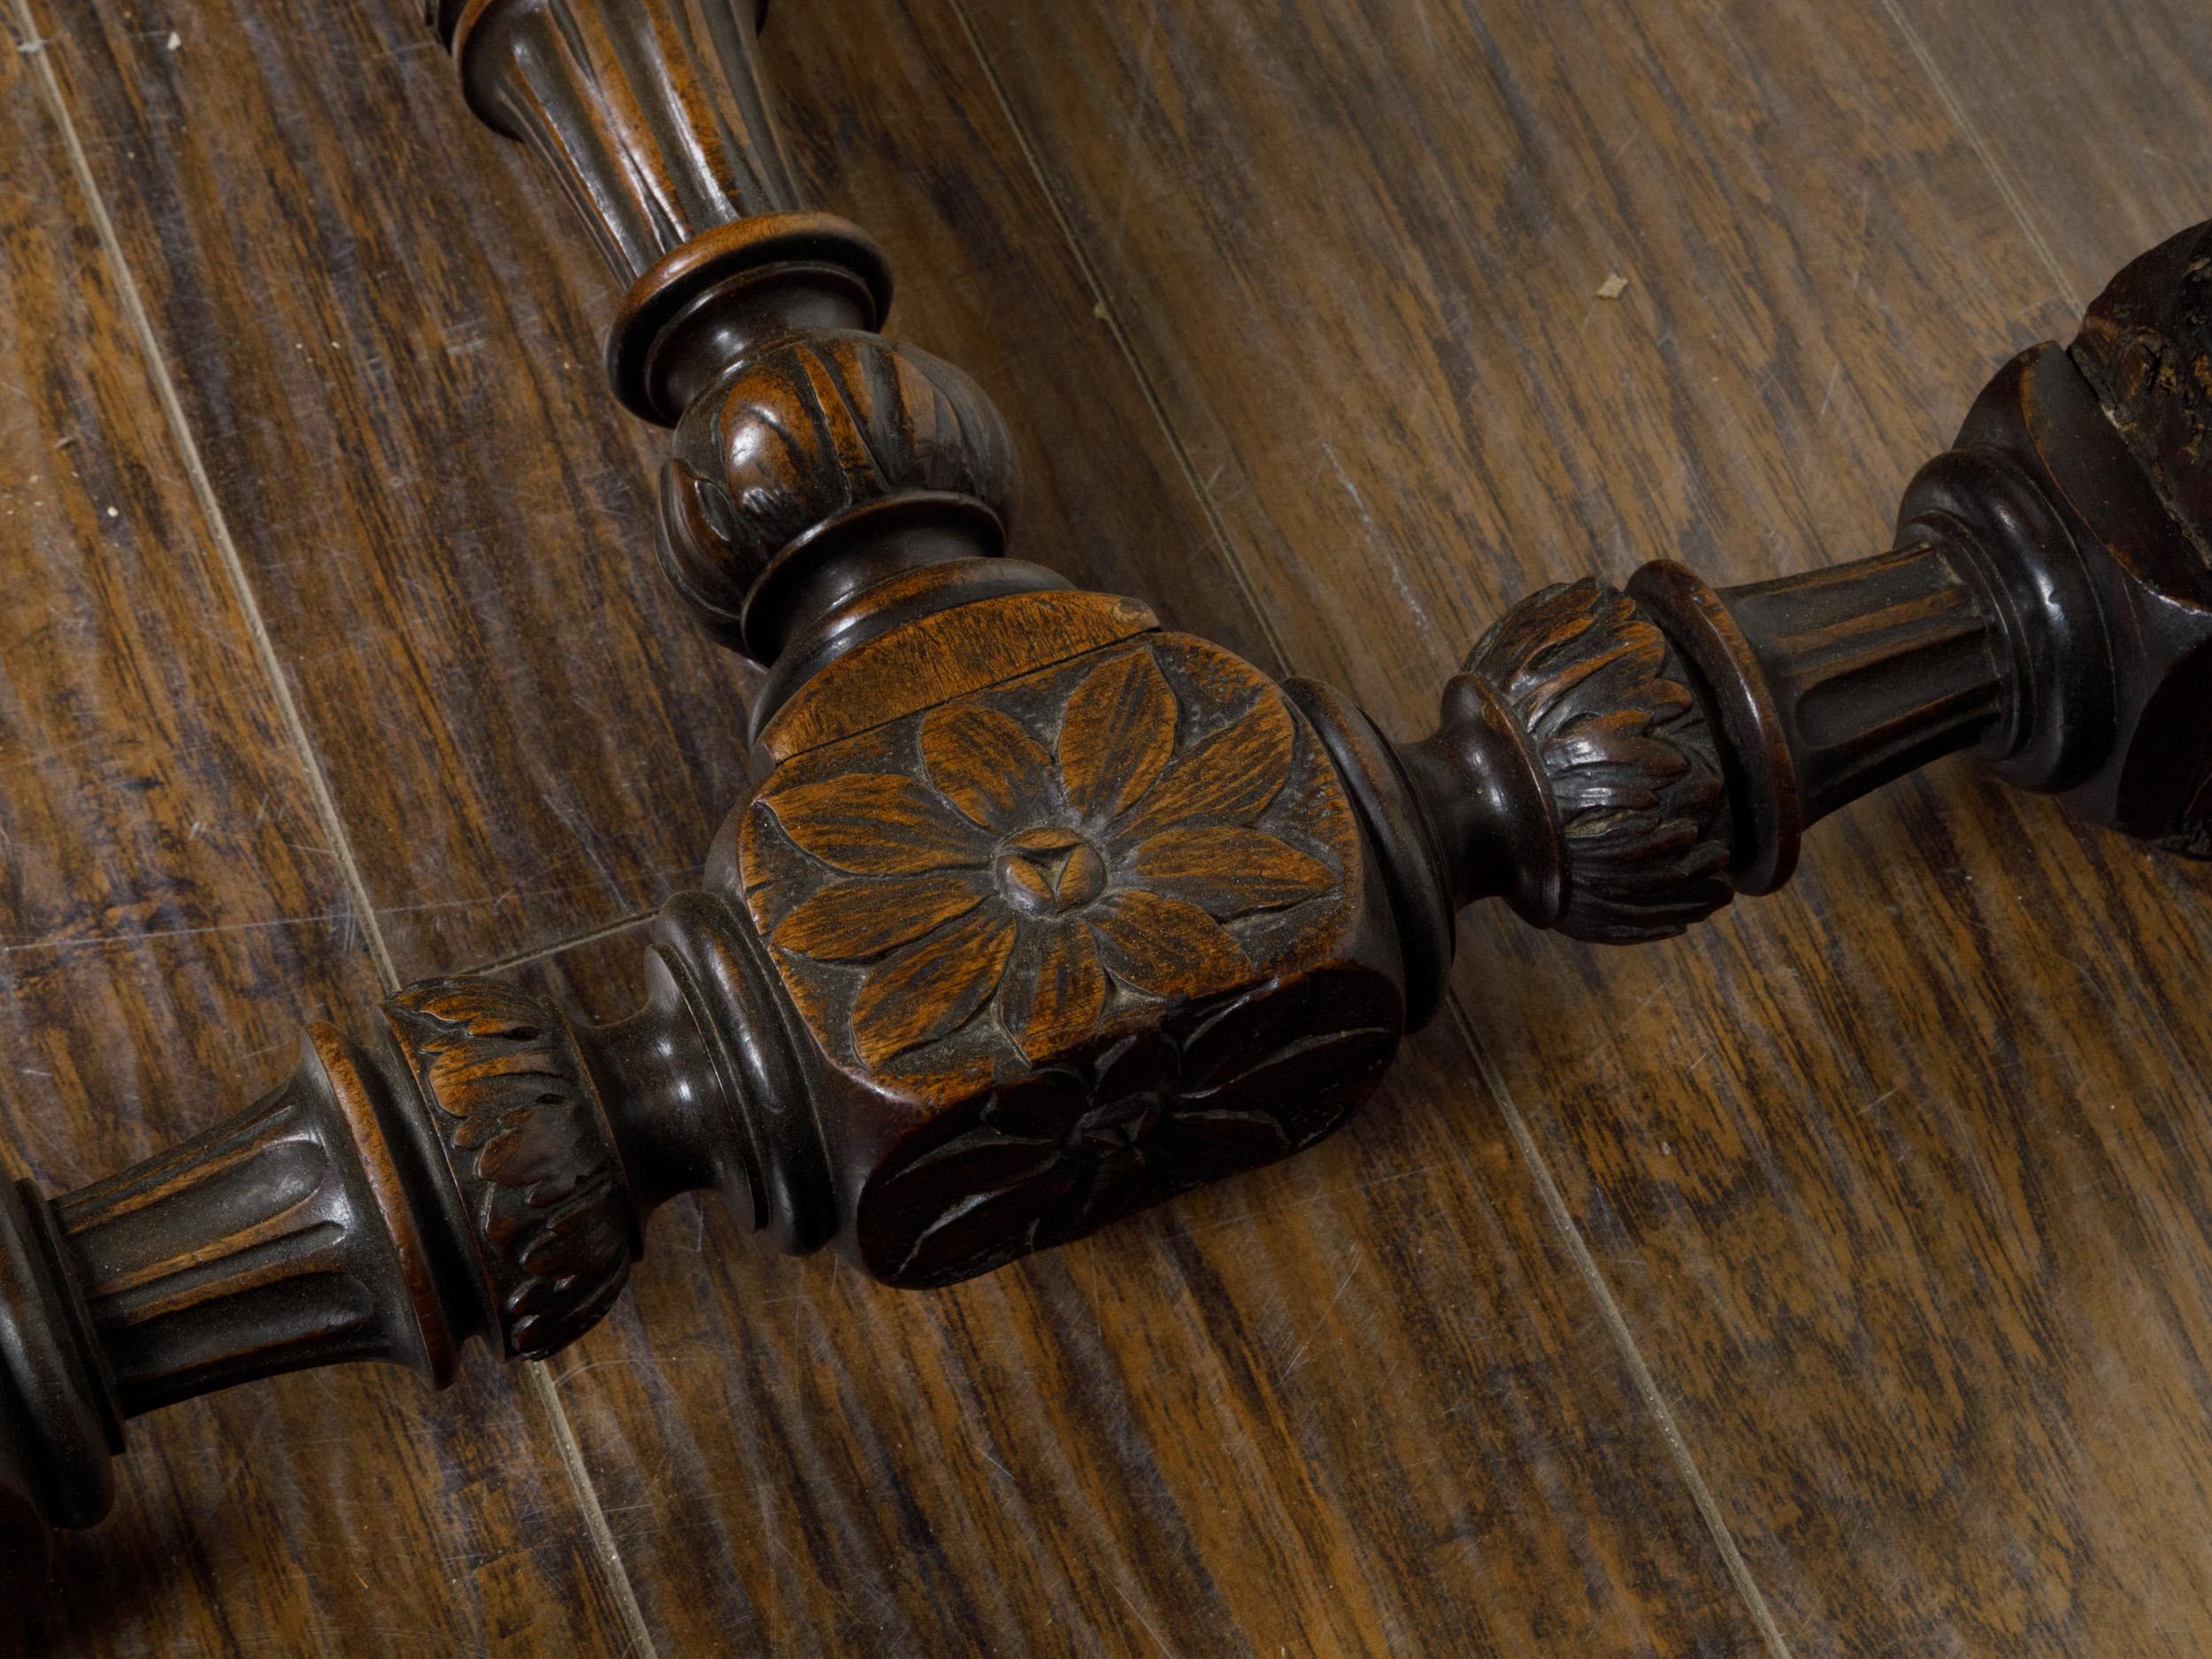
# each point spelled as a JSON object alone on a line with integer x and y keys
{"x": 1554, "y": 1202}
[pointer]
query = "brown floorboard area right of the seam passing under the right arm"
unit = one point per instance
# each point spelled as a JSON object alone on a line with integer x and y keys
{"x": 1897, "y": 1178}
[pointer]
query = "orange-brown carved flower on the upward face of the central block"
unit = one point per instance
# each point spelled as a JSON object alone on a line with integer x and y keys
{"x": 1032, "y": 866}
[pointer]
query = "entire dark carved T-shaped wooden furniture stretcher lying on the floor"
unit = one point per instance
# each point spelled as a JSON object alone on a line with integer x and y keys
{"x": 1039, "y": 912}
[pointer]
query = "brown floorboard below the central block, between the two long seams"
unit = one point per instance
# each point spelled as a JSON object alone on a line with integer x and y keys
{"x": 1350, "y": 1404}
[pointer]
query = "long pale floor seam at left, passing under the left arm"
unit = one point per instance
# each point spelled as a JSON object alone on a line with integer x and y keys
{"x": 326, "y": 806}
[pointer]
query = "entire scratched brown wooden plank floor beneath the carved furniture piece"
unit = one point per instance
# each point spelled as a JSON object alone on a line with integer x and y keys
{"x": 1837, "y": 1282}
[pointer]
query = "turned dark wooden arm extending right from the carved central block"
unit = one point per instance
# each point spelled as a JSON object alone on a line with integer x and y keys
{"x": 1620, "y": 764}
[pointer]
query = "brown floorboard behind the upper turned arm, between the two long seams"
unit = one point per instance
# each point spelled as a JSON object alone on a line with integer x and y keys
{"x": 395, "y": 371}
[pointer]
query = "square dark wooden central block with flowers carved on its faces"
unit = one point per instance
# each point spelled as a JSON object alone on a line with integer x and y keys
{"x": 1103, "y": 935}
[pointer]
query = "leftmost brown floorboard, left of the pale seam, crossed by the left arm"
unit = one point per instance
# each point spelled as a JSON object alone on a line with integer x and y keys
{"x": 169, "y": 899}
